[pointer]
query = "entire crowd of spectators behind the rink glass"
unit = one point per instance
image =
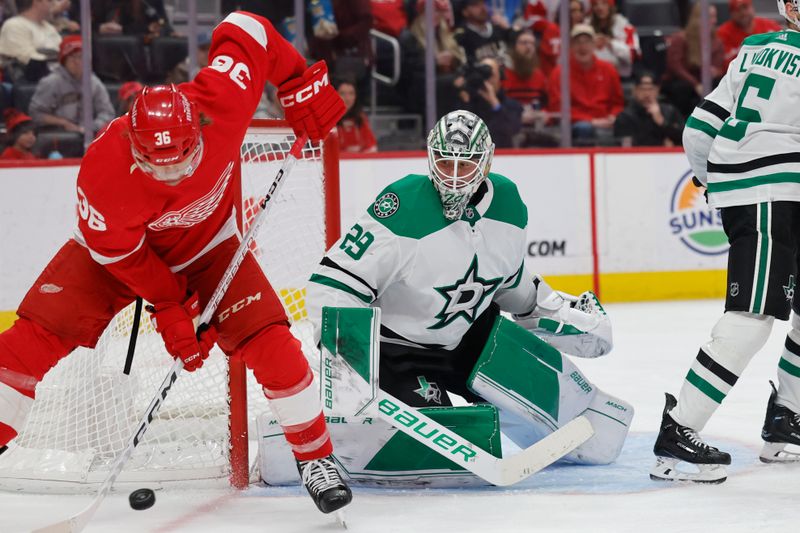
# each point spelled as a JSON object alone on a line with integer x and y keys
{"x": 500, "y": 60}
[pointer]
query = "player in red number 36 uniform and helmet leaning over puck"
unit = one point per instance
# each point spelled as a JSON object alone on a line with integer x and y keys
{"x": 156, "y": 195}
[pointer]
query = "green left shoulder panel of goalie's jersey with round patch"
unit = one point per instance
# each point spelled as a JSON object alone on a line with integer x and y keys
{"x": 409, "y": 207}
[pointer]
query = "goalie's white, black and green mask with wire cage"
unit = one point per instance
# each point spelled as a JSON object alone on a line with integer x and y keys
{"x": 460, "y": 153}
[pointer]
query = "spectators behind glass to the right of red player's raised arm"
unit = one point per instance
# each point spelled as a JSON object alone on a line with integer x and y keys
{"x": 501, "y": 60}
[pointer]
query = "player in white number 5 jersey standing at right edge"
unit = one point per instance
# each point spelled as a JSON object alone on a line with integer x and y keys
{"x": 742, "y": 144}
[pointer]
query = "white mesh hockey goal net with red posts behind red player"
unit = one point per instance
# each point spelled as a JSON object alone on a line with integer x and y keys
{"x": 87, "y": 408}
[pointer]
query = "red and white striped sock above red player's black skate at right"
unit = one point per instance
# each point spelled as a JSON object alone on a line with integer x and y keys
{"x": 280, "y": 368}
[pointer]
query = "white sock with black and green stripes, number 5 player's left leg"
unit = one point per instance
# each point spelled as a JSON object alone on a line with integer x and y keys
{"x": 735, "y": 339}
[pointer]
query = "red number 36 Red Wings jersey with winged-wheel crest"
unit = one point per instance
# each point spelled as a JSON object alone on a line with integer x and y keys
{"x": 143, "y": 230}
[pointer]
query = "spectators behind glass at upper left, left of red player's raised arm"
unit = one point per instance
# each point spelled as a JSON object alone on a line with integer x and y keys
{"x": 41, "y": 68}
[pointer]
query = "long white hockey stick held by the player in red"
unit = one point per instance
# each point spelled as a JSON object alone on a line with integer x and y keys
{"x": 77, "y": 522}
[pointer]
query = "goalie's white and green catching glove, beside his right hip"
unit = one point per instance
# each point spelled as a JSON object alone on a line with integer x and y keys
{"x": 576, "y": 325}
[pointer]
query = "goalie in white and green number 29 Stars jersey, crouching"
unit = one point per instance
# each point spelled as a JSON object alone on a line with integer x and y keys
{"x": 442, "y": 255}
